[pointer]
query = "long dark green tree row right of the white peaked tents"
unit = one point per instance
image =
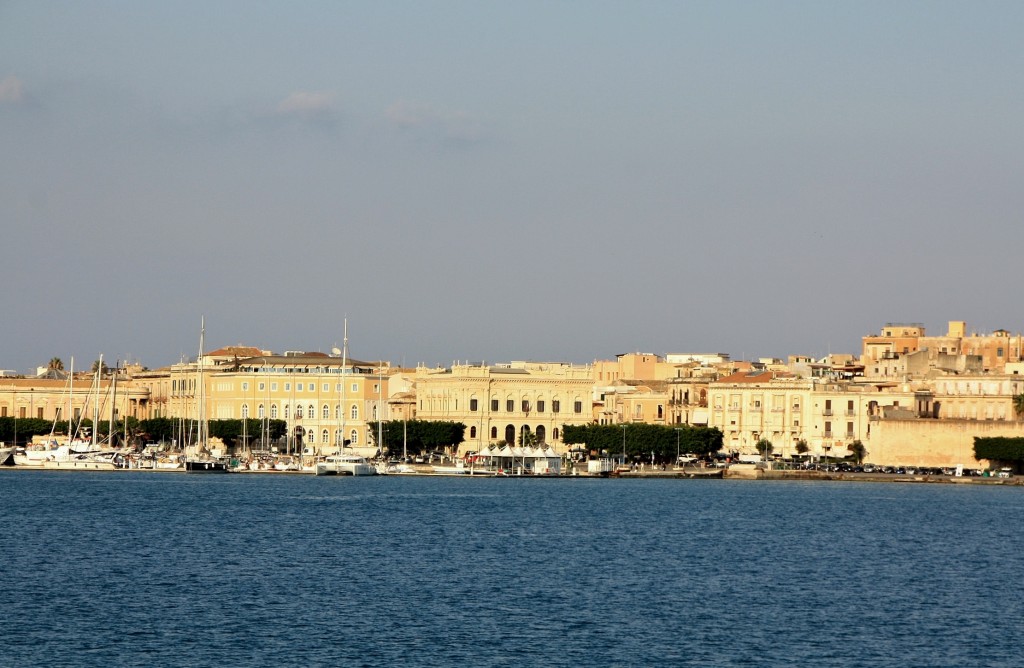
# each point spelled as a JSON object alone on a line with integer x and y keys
{"x": 641, "y": 441}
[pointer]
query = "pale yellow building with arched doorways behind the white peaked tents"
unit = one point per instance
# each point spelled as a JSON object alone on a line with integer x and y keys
{"x": 501, "y": 403}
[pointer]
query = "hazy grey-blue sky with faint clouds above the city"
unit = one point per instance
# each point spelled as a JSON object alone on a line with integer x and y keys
{"x": 488, "y": 182}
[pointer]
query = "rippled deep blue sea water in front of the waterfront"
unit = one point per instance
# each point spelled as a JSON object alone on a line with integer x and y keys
{"x": 135, "y": 569}
